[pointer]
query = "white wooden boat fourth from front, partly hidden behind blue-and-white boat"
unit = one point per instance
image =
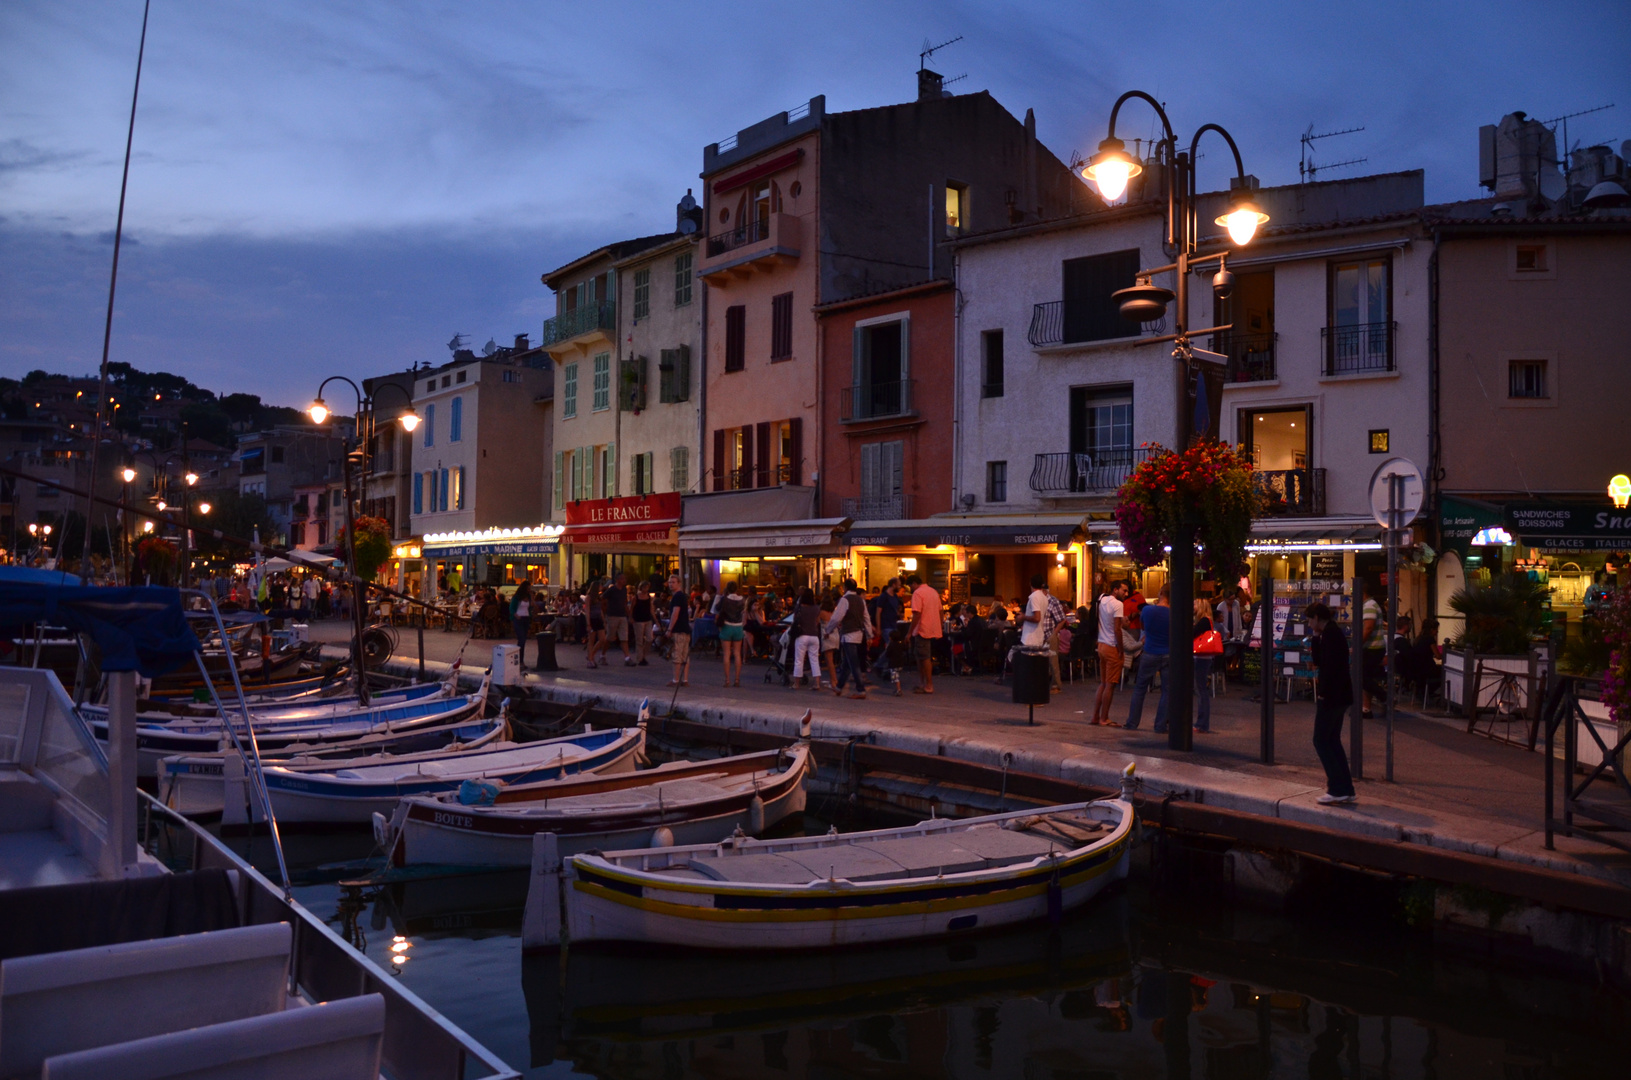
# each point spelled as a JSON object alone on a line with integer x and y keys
{"x": 197, "y": 784}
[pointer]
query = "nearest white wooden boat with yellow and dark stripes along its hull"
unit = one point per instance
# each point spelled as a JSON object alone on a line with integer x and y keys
{"x": 930, "y": 880}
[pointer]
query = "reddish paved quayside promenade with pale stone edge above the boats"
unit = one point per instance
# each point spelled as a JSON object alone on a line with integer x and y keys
{"x": 1451, "y": 790}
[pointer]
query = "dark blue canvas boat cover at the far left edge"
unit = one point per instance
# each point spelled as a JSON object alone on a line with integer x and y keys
{"x": 136, "y": 629}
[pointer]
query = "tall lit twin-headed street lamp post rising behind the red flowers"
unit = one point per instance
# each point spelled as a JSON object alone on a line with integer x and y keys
{"x": 1144, "y": 303}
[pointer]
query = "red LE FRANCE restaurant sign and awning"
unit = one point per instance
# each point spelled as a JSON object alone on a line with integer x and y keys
{"x": 632, "y": 536}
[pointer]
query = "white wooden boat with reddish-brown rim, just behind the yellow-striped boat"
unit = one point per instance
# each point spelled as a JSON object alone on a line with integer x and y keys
{"x": 674, "y": 803}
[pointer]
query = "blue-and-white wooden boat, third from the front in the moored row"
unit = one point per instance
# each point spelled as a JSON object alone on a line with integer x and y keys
{"x": 356, "y": 794}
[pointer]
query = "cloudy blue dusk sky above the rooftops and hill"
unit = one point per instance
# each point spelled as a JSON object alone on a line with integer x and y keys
{"x": 338, "y": 188}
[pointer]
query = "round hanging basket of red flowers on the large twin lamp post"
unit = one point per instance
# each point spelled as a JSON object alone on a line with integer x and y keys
{"x": 1209, "y": 487}
